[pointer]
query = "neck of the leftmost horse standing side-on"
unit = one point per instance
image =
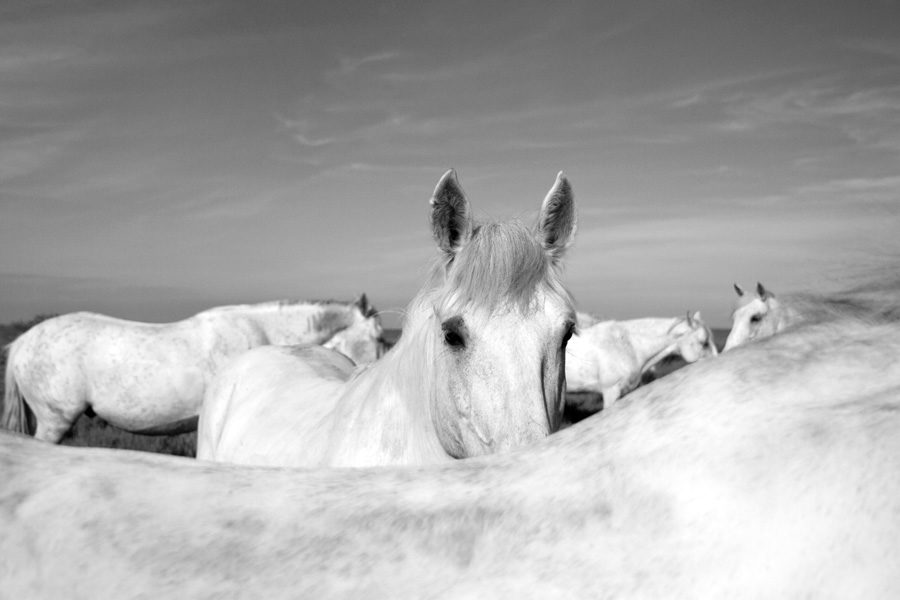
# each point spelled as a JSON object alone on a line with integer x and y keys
{"x": 300, "y": 323}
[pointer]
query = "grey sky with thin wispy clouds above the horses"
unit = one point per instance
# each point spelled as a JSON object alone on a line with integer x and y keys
{"x": 157, "y": 158}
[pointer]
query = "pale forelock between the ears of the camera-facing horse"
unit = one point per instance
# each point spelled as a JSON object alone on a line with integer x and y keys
{"x": 502, "y": 265}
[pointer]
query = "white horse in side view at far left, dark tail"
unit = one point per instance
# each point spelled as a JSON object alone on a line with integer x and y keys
{"x": 150, "y": 377}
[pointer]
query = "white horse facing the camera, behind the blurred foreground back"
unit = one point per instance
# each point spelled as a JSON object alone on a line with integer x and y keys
{"x": 478, "y": 368}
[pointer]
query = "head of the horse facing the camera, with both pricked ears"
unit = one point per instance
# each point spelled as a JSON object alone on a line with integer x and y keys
{"x": 499, "y": 325}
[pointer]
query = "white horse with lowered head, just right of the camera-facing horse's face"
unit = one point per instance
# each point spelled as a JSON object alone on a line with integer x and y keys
{"x": 609, "y": 358}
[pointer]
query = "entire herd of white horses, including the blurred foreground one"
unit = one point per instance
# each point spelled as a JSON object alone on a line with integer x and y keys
{"x": 770, "y": 470}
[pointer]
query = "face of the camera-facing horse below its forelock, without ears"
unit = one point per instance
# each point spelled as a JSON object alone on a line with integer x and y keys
{"x": 500, "y": 377}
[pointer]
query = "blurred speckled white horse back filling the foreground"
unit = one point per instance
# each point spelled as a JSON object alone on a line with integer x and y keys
{"x": 766, "y": 473}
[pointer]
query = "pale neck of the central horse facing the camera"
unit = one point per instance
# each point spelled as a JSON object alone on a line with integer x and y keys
{"x": 385, "y": 414}
